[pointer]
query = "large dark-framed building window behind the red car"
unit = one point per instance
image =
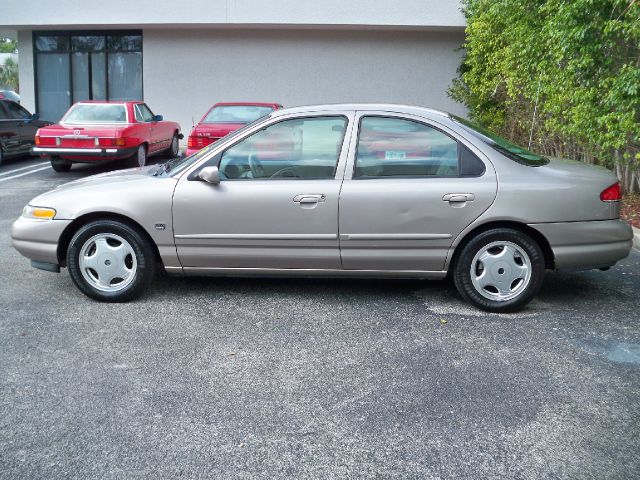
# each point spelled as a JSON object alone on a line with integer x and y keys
{"x": 76, "y": 66}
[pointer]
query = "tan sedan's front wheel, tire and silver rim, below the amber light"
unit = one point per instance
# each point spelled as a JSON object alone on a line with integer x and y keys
{"x": 110, "y": 261}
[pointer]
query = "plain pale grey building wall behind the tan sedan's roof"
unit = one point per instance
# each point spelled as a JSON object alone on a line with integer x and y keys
{"x": 186, "y": 71}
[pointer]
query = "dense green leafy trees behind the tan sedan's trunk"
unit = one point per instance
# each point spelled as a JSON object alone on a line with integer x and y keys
{"x": 562, "y": 76}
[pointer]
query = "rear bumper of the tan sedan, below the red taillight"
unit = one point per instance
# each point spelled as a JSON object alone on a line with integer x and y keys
{"x": 587, "y": 245}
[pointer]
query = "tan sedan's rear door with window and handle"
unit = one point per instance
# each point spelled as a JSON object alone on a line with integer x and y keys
{"x": 410, "y": 188}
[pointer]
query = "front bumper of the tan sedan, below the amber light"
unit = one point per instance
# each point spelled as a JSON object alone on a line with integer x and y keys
{"x": 38, "y": 239}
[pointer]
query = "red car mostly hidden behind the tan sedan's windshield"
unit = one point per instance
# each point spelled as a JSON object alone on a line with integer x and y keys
{"x": 224, "y": 118}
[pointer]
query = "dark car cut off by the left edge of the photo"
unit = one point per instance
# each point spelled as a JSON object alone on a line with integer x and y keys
{"x": 18, "y": 129}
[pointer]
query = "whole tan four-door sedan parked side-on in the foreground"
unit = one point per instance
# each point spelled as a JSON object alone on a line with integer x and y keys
{"x": 339, "y": 190}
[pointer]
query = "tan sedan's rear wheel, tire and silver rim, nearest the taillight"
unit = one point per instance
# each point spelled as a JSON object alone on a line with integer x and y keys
{"x": 500, "y": 270}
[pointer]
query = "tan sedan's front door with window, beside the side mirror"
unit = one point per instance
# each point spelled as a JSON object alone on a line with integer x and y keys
{"x": 276, "y": 206}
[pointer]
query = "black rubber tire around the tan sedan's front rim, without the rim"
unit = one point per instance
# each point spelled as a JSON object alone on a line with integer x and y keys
{"x": 144, "y": 256}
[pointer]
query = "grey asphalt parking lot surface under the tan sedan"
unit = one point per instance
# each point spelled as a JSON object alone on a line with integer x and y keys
{"x": 265, "y": 378}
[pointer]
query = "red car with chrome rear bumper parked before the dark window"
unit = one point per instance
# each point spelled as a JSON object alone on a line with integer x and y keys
{"x": 94, "y": 131}
